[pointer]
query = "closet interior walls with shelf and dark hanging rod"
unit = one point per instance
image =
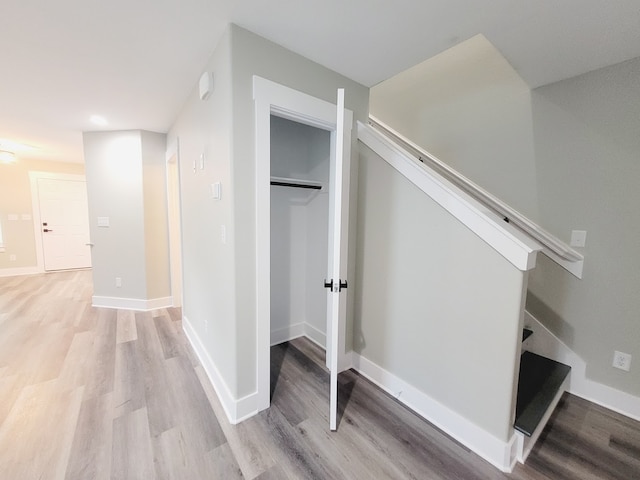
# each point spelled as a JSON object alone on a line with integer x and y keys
{"x": 300, "y": 168}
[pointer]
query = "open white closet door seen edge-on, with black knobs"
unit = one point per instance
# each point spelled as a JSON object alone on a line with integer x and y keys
{"x": 338, "y": 236}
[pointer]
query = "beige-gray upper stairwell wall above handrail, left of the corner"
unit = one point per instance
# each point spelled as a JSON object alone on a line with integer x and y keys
{"x": 468, "y": 107}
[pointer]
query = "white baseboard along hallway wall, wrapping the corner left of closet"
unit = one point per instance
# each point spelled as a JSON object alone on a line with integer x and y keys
{"x": 237, "y": 410}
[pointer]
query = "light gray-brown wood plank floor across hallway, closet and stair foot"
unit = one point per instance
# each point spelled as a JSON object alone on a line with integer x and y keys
{"x": 91, "y": 393}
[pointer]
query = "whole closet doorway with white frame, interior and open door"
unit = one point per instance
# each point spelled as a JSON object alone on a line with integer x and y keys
{"x": 305, "y": 197}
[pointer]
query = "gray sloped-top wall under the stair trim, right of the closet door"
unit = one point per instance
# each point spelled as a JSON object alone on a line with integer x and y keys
{"x": 435, "y": 305}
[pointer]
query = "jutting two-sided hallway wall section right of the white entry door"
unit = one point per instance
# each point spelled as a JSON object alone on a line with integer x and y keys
{"x": 115, "y": 164}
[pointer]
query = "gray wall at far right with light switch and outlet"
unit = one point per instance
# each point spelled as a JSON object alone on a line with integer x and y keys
{"x": 587, "y": 143}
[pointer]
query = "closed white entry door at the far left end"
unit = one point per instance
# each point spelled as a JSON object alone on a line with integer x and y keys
{"x": 64, "y": 224}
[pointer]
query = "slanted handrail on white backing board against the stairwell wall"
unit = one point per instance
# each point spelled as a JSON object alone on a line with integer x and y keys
{"x": 555, "y": 248}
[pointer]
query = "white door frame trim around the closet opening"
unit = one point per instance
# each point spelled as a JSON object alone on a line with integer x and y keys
{"x": 273, "y": 98}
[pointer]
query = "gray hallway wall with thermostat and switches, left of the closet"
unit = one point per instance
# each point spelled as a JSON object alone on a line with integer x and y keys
{"x": 204, "y": 127}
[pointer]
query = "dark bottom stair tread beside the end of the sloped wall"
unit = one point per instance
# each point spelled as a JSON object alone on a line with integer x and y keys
{"x": 540, "y": 380}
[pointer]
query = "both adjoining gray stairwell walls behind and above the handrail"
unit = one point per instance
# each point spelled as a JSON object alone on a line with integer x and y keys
{"x": 564, "y": 154}
